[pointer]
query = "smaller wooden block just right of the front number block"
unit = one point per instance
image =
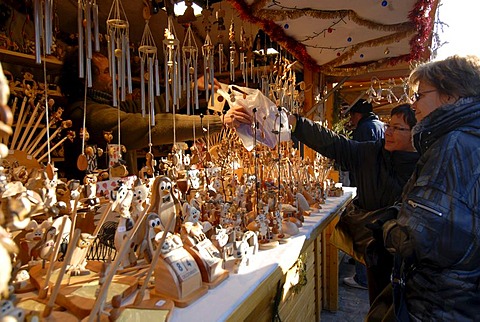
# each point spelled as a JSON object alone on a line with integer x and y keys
{"x": 209, "y": 261}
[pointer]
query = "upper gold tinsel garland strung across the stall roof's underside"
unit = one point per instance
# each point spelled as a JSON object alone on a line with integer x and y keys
{"x": 279, "y": 15}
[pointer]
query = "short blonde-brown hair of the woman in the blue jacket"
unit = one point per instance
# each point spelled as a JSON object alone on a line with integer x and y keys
{"x": 454, "y": 76}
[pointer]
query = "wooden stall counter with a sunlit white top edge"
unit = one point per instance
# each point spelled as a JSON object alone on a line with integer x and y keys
{"x": 251, "y": 295}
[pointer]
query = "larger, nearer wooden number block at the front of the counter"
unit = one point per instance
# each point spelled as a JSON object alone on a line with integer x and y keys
{"x": 177, "y": 276}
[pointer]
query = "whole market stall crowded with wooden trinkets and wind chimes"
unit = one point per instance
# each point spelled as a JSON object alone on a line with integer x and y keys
{"x": 182, "y": 220}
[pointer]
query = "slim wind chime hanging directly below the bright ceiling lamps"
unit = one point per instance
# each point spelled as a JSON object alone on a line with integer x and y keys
{"x": 190, "y": 63}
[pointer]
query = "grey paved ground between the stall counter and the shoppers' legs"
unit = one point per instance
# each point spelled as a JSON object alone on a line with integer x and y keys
{"x": 353, "y": 303}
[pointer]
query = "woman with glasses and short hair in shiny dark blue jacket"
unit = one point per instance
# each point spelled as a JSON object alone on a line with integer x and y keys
{"x": 436, "y": 236}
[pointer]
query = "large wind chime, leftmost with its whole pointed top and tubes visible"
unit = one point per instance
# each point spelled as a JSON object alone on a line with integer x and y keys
{"x": 119, "y": 51}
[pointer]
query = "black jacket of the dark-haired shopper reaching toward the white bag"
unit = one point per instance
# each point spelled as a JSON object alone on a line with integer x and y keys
{"x": 380, "y": 174}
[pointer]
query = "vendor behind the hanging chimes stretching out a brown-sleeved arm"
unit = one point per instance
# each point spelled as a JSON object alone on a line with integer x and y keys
{"x": 102, "y": 116}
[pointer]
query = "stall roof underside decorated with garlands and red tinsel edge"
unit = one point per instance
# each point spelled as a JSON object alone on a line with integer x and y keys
{"x": 344, "y": 37}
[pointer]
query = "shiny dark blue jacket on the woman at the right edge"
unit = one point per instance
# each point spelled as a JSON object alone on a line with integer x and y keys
{"x": 438, "y": 225}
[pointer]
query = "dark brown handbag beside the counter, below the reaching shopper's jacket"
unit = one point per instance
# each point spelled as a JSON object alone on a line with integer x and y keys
{"x": 351, "y": 234}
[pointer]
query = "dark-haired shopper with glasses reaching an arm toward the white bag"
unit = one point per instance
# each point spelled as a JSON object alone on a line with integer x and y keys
{"x": 381, "y": 168}
